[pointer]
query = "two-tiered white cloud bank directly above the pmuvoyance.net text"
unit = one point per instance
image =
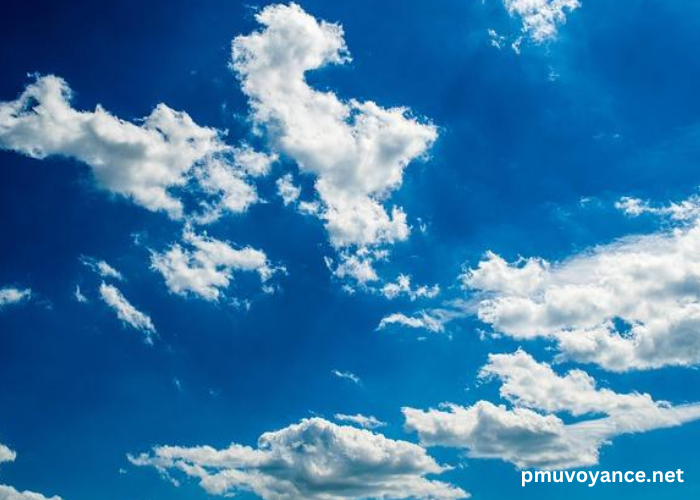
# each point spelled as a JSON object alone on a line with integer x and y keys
{"x": 530, "y": 439}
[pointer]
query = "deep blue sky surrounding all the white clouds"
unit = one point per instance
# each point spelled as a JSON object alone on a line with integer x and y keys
{"x": 516, "y": 153}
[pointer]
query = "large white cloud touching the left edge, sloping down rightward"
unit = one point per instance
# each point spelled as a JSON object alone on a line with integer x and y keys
{"x": 140, "y": 162}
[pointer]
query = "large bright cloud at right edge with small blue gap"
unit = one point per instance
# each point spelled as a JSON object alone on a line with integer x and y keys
{"x": 633, "y": 304}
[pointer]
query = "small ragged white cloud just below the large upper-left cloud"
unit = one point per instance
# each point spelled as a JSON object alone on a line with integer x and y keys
{"x": 205, "y": 266}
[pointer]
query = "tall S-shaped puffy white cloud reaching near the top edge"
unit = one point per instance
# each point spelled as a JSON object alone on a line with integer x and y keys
{"x": 356, "y": 151}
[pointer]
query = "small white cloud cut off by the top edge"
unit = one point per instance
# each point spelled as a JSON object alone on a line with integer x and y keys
{"x": 541, "y": 18}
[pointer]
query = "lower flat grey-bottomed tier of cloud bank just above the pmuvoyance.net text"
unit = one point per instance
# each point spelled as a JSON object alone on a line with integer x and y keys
{"x": 531, "y": 440}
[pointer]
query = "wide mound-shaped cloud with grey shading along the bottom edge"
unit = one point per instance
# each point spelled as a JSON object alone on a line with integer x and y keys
{"x": 312, "y": 460}
